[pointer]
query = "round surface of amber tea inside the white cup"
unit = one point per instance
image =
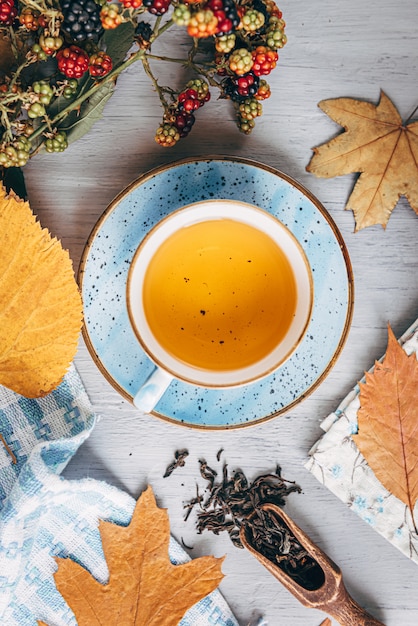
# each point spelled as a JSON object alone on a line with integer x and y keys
{"x": 219, "y": 294}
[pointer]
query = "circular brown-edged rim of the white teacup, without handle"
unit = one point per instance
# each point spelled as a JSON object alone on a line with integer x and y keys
{"x": 245, "y": 377}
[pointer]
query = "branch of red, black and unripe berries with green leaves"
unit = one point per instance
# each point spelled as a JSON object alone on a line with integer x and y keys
{"x": 60, "y": 60}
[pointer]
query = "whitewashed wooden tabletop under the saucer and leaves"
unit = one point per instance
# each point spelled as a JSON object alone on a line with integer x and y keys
{"x": 335, "y": 49}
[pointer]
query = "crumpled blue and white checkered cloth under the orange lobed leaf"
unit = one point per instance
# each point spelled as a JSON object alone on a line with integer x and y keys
{"x": 42, "y": 515}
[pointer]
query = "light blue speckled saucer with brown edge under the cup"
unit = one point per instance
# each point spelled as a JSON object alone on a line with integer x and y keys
{"x": 115, "y": 238}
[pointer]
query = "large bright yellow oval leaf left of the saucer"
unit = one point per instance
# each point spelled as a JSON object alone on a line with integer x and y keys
{"x": 41, "y": 311}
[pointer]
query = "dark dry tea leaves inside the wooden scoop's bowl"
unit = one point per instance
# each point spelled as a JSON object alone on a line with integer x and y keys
{"x": 270, "y": 536}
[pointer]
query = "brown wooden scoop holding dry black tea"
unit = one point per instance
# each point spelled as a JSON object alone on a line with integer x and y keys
{"x": 329, "y": 593}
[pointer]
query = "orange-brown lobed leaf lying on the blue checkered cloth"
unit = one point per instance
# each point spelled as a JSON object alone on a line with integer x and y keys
{"x": 144, "y": 588}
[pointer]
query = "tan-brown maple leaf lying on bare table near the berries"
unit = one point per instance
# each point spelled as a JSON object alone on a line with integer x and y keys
{"x": 378, "y": 145}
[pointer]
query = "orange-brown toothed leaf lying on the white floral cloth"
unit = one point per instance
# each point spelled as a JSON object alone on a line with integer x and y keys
{"x": 388, "y": 422}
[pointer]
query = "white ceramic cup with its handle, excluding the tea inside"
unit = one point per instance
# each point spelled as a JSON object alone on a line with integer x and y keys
{"x": 167, "y": 365}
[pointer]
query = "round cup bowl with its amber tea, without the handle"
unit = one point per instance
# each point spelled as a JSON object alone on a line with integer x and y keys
{"x": 219, "y": 293}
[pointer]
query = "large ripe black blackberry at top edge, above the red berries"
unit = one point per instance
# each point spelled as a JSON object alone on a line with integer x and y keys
{"x": 81, "y": 20}
